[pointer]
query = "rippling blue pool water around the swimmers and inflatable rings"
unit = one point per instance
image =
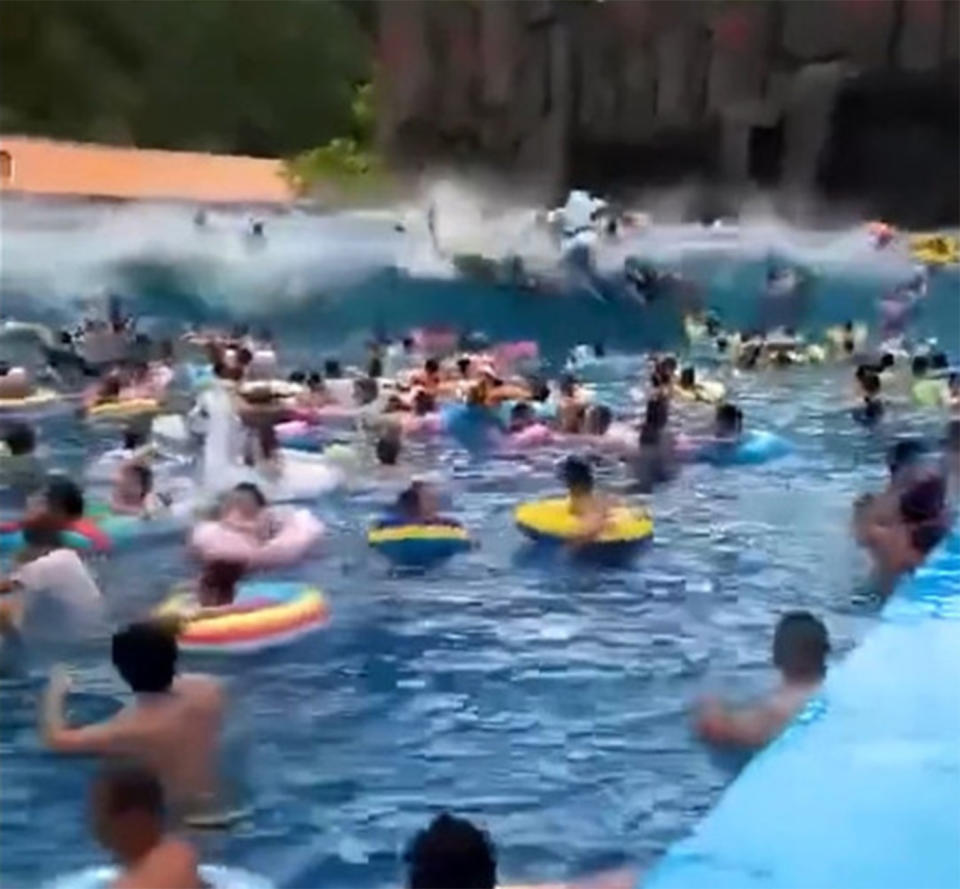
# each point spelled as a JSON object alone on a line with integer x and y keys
{"x": 547, "y": 699}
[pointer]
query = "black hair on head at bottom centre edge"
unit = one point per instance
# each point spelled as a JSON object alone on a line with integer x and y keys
{"x": 450, "y": 853}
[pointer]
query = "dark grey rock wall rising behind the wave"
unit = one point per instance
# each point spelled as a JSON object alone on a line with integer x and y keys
{"x": 635, "y": 93}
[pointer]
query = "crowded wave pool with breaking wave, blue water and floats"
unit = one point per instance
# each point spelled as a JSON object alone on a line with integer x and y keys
{"x": 540, "y": 689}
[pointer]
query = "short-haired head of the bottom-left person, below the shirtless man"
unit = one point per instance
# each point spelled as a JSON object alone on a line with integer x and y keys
{"x": 127, "y": 810}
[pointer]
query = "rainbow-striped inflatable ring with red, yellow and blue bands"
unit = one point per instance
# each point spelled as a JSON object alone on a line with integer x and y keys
{"x": 263, "y": 615}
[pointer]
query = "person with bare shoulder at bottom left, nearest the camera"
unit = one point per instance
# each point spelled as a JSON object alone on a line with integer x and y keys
{"x": 128, "y": 810}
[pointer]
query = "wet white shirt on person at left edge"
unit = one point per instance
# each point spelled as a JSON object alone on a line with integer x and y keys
{"x": 60, "y": 597}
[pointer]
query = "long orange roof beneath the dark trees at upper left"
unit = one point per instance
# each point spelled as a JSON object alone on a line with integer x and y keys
{"x": 43, "y": 166}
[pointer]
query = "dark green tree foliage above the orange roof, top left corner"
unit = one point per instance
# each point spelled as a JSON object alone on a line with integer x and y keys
{"x": 261, "y": 77}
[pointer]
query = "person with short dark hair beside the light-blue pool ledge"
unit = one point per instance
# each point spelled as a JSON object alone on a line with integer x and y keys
{"x": 800, "y": 649}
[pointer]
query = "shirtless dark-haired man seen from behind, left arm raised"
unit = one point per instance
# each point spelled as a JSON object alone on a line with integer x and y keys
{"x": 173, "y": 726}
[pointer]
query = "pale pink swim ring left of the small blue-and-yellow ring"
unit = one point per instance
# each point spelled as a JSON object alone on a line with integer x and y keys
{"x": 299, "y": 530}
